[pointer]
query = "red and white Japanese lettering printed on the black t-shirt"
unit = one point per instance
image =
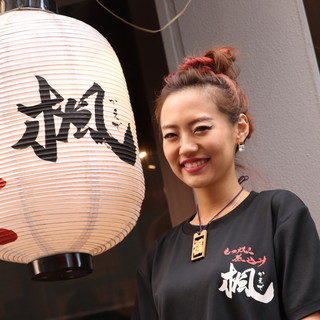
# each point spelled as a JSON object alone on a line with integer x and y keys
{"x": 251, "y": 281}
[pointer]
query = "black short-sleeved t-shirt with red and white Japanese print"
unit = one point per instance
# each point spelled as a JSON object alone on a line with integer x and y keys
{"x": 262, "y": 262}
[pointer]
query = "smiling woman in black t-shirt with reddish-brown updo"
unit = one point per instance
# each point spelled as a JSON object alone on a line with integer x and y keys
{"x": 253, "y": 255}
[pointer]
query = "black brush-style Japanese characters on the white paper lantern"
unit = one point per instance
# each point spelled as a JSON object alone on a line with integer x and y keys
{"x": 75, "y": 114}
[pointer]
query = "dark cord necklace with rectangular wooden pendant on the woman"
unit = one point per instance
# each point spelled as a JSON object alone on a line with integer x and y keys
{"x": 200, "y": 237}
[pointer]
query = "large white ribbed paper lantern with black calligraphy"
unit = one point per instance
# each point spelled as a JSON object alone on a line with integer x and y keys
{"x": 71, "y": 181}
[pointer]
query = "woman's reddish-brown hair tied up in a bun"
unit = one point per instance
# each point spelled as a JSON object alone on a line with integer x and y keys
{"x": 214, "y": 70}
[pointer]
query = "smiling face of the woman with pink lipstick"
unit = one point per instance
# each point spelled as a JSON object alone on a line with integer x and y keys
{"x": 199, "y": 142}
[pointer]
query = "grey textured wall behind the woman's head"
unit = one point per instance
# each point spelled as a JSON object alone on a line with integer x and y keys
{"x": 279, "y": 74}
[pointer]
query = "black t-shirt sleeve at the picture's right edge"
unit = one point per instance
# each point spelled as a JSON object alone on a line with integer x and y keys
{"x": 297, "y": 250}
